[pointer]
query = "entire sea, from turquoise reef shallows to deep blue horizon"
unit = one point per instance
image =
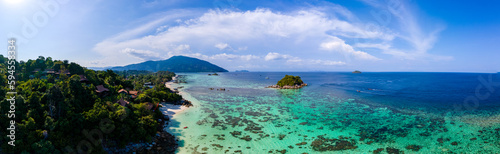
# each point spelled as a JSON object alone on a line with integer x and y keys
{"x": 391, "y": 113}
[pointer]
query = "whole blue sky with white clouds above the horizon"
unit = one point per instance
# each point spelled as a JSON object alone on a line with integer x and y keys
{"x": 338, "y": 35}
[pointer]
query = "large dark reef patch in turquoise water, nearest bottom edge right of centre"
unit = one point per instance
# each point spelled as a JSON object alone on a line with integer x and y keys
{"x": 325, "y": 144}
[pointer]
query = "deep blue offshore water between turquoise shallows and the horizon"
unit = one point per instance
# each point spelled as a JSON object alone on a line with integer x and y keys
{"x": 427, "y": 91}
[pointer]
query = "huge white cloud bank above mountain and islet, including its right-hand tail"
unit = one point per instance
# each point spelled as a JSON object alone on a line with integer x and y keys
{"x": 305, "y": 34}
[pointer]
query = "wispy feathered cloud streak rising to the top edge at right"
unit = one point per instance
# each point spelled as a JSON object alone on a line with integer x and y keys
{"x": 409, "y": 29}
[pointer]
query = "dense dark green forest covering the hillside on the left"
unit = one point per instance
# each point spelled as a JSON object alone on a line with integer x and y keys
{"x": 56, "y": 112}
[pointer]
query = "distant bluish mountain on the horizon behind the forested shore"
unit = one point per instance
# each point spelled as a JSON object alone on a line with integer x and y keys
{"x": 174, "y": 64}
